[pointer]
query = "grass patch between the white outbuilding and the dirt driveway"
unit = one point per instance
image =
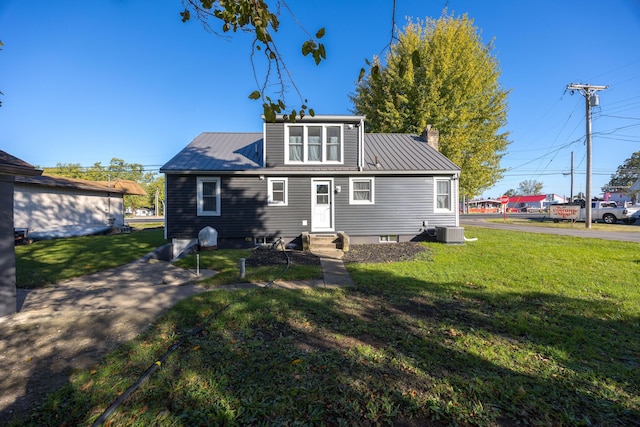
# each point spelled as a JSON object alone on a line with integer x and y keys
{"x": 53, "y": 261}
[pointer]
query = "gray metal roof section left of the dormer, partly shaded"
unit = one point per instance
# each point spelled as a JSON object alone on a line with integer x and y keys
{"x": 213, "y": 151}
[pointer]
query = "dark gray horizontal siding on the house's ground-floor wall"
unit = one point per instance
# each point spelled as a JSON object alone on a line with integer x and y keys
{"x": 402, "y": 206}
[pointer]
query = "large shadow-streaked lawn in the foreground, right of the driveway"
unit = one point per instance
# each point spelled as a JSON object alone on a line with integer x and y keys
{"x": 512, "y": 329}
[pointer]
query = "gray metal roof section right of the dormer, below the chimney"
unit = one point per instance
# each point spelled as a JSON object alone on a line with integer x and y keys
{"x": 397, "y": 152}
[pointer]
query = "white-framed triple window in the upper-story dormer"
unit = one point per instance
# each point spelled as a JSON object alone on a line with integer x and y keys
{"x": 313, "y": 144}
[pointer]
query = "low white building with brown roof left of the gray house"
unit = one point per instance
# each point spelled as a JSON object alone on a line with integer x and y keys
{"x": 46, "y": 202}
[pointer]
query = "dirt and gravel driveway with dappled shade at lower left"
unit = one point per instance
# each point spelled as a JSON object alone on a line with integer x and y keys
{"x": 70, "y": 326}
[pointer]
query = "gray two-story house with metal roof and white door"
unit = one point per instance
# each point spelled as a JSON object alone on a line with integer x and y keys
{"x": 319, "y": 175}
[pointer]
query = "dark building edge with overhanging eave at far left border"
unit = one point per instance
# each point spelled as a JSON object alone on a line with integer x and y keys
{"x": 10, "y": 168}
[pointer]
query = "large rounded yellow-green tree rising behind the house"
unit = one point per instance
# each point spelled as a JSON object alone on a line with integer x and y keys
{"x": 440, "y": 73}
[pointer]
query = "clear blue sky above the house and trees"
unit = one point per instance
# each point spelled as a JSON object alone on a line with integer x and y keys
{"x": 85, "y": 81}
